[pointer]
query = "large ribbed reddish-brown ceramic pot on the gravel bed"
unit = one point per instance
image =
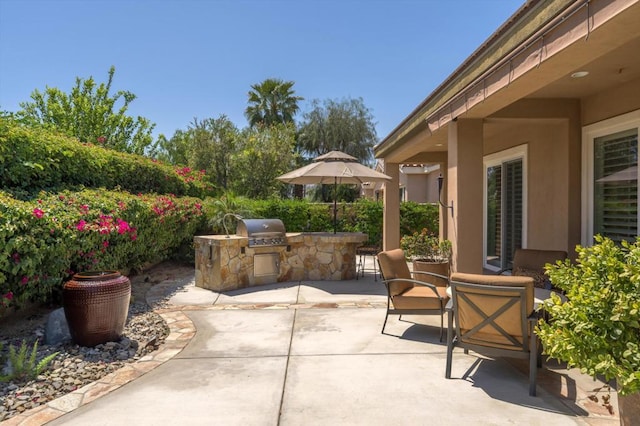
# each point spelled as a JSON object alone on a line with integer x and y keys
{"x": 96, "y": 305}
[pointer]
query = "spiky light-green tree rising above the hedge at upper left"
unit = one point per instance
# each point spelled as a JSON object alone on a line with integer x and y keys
{"x": 90, "y": 114}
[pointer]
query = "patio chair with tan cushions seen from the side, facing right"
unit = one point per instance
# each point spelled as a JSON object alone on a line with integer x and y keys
{"x": 420, "y": 293}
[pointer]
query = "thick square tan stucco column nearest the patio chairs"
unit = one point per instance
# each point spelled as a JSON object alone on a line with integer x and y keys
{"x": 464, "y": 192}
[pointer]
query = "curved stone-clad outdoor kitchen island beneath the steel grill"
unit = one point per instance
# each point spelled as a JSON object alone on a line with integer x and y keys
{"x": 229, "y": 262}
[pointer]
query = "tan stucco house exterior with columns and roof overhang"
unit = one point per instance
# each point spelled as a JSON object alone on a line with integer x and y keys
{"x": 539, "y": 108}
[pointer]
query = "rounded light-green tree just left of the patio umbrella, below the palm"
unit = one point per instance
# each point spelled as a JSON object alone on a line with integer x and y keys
{"x": 263, "y": 154}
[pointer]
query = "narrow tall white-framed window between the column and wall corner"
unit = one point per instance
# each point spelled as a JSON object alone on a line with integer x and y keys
{"x": 504, "y": 206}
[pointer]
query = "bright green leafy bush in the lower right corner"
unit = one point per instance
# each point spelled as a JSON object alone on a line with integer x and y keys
{"x": 598, "y": 328}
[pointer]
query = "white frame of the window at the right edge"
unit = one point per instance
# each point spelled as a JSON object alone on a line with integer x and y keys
{"x": 591, "y": 132}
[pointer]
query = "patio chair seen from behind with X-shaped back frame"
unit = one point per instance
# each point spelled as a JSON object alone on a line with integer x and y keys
{"x": 493, "y": 315}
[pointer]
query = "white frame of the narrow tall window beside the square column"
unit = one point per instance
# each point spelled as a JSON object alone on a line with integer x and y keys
{"x": 491, "y": 160}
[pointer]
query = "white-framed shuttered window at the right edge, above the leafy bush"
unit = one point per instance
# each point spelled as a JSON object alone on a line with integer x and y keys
{"x": 610, "y": 180}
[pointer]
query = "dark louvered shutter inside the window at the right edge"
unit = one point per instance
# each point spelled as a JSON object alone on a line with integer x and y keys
{"x": 616, "y": 185}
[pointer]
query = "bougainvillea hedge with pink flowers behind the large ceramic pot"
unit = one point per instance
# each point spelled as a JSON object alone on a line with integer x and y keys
{"x": 46, "y": 240}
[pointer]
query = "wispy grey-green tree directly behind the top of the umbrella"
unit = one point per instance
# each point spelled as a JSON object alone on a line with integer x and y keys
{"x": 345, "y": 125}
